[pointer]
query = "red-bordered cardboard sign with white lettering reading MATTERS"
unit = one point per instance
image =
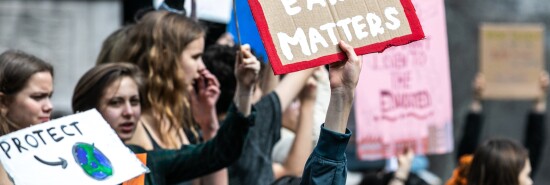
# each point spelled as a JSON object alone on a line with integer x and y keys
{"x": 304, "y": 34}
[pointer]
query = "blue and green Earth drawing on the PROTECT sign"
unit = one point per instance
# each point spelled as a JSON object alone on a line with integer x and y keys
{"x": 92, "y": 161}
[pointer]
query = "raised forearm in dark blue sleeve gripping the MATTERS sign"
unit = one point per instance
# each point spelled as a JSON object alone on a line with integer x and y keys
{"x": 327, "y": 163}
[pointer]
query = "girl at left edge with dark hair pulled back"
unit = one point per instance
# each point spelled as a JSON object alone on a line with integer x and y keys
{"x": 26, "y": 85}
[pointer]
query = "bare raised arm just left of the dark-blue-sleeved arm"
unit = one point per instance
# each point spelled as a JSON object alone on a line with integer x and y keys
{"x": 302, "y": 145}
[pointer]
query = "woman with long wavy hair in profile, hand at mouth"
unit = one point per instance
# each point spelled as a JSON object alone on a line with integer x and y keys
{"x": 180, "y": 94}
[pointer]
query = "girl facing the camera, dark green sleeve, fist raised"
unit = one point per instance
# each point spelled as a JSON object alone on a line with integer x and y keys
{"x": 115, "y": 89}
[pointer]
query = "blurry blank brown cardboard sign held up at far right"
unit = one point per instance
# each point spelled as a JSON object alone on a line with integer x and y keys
{"x": 512, "y": 58}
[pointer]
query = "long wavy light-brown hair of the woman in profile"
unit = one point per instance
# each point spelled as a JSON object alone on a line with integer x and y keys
{"x": 155, "y": 46}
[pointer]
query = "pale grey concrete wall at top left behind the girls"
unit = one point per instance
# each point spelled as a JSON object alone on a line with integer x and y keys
{"x": 67, "y": 34}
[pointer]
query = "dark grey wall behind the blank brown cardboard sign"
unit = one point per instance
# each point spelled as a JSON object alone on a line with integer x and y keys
{"x": 503, "y": 118}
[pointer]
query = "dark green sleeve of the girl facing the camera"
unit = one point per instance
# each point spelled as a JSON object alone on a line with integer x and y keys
{"x": 192, "y": 161}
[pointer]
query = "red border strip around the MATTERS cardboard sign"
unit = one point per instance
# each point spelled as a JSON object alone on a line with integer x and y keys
{"x": 417, "y": 33}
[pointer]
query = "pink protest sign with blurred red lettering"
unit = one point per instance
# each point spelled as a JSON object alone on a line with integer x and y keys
{"x": 404, "y": 96}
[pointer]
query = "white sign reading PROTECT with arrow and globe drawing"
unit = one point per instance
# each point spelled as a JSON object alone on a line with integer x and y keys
{"x": 77, "y": 149}
